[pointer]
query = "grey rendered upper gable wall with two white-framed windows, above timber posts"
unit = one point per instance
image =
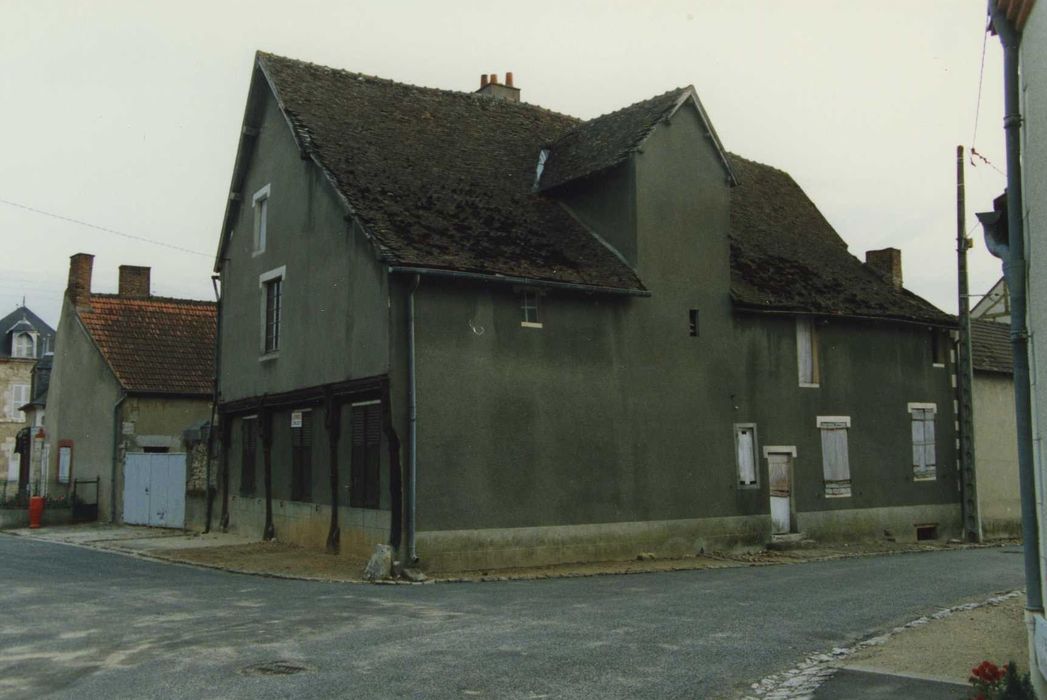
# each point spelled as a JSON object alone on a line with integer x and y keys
{"x": 336, "y": 319}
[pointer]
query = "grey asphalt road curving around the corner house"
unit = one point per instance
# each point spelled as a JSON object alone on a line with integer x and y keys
{"x": 83, "y": 624}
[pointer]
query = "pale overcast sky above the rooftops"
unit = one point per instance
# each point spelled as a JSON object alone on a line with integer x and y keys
{"x": 125, "y": 116}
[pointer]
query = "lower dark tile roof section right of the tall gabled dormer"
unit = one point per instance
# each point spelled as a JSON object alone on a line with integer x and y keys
{"x": 786, "y": 257}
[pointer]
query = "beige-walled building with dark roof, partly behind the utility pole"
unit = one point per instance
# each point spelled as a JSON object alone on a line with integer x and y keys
{"x": 996, "y": 451}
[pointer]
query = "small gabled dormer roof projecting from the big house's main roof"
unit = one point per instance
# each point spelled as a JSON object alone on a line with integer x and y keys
{"x": 595, "y": 146}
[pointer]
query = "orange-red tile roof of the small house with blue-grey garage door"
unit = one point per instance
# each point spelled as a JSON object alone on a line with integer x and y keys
{"x": 155, "y": 345}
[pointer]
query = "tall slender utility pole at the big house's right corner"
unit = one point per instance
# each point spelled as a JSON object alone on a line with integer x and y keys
{"x": 965, "y": 373}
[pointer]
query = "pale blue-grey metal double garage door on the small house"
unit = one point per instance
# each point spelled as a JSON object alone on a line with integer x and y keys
{"x": 154, "y": 490}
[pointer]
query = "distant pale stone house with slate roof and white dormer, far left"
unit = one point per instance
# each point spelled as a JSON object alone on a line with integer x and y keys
{"x": 25, "y": 337}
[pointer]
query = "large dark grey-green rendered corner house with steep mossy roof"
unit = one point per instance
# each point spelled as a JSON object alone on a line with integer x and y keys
{"x": 516, "y": 337}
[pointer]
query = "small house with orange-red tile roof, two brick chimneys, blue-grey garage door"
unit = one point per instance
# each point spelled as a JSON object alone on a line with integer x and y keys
{"x": 132, "y": 372}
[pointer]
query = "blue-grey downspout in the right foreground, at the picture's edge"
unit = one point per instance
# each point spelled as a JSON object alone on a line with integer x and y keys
{"x": 1014, "y": 273}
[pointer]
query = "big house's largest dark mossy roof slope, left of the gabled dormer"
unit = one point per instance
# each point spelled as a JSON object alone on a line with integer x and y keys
{"x": 442, "y": 179}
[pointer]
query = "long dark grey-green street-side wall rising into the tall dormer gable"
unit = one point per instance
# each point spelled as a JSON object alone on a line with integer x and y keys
{"x": 612, "y": 413}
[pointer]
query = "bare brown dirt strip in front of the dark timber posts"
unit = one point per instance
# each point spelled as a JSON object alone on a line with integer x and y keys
{"x": 274, "y": 559}
